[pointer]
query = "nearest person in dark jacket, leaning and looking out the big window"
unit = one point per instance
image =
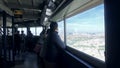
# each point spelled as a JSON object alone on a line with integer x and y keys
{"x": 54, "y": 46}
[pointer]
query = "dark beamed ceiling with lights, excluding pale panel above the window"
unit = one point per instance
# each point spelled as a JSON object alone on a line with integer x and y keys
{"x": 30, "y": 9}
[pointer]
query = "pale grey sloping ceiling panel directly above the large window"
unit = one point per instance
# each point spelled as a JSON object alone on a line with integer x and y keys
{"x": 77, "y": 6}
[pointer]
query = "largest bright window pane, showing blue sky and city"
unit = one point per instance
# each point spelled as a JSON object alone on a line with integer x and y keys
{"x": 85, "y": 32}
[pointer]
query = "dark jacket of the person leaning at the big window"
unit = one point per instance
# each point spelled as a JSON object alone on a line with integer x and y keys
{"x": 54, "y": 46}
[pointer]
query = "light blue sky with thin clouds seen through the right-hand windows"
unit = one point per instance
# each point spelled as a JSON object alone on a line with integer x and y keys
{"x": 91, "y": 20}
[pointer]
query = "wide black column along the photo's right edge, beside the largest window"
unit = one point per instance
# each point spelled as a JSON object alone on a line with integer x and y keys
{"x": 112, "y": 33}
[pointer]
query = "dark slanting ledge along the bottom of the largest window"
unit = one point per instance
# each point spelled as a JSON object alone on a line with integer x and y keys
{"x": 89, "y": 59}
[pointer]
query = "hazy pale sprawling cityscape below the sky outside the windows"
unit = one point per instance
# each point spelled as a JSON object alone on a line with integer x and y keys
{"x": 89, "y": 43}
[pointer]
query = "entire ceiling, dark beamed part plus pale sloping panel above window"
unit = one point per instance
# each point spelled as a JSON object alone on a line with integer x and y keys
{"x": 31, "y": 10}
